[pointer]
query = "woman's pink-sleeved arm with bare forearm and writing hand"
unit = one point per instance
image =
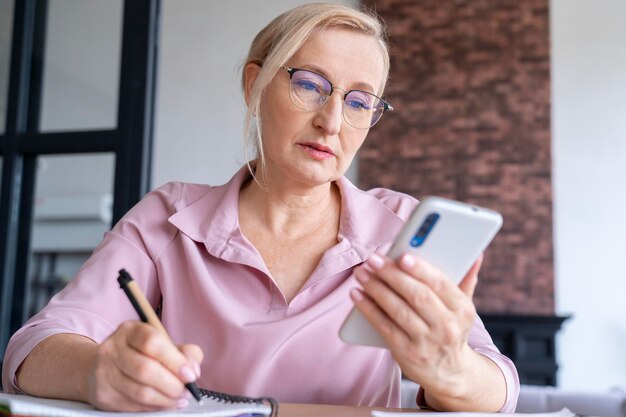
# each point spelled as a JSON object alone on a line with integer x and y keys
{"x": 88, "y": 335}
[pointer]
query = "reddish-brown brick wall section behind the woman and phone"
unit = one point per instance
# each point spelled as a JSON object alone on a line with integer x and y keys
{"x": 470, "y": 81}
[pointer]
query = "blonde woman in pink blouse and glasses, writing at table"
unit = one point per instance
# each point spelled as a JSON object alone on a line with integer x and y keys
{"x": 256, "y": 276}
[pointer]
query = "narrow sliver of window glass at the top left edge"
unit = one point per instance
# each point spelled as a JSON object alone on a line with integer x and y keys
{"x": 6, "y": 28}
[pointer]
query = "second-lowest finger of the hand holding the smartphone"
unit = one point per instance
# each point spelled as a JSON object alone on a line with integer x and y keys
{"x": 392, "y": 306}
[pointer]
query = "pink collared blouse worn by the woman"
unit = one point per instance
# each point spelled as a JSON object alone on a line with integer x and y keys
{"x": 183, "y": 245}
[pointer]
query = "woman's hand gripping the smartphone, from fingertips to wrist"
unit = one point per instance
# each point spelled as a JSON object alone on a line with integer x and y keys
{"x": 424, "y": 317}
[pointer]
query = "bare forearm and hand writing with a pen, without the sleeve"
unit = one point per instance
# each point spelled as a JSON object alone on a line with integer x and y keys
{"x": 135, "y": 369}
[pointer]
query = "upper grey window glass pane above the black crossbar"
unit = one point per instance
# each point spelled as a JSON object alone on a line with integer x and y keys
{"x": 81, "y": 65}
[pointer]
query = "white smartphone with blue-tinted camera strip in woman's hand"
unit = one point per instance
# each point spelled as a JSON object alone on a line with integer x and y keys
{"x": 448, "y": 234}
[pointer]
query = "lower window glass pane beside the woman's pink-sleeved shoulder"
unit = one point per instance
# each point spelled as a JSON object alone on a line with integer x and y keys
{"x": 72, "y": 210}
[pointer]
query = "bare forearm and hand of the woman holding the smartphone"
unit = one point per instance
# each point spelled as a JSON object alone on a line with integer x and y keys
{"x": 427, "y": 320}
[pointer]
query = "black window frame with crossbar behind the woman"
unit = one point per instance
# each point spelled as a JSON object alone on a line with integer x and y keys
{"x": 21, "y": 143}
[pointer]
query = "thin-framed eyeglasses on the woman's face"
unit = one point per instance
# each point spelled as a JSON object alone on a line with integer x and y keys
{"x": 310, "y": 91}
